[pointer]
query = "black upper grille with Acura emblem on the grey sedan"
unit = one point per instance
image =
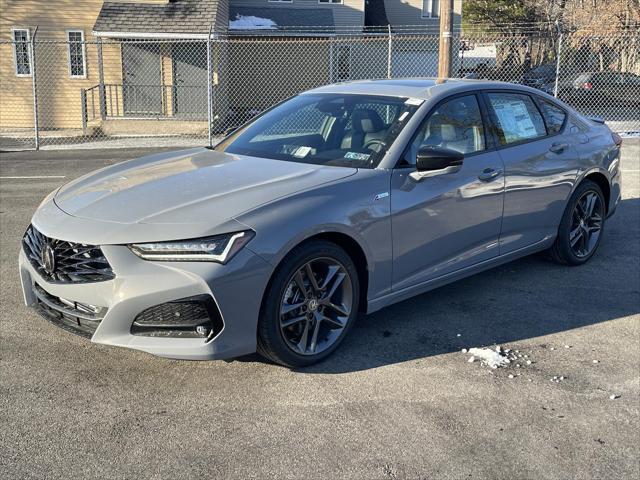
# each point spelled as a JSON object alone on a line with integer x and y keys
{"x": 68, "y": 262}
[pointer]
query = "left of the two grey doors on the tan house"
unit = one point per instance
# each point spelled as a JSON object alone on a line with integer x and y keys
{"x": 141, "y": 79}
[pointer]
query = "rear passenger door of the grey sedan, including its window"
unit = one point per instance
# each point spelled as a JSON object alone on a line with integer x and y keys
{"x": 541, "y": 164}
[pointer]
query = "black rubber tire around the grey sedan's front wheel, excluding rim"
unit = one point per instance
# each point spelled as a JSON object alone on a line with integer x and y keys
{"x": 272, "y": 343}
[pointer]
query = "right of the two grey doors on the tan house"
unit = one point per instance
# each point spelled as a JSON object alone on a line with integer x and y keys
{"x": 190, "y": 80}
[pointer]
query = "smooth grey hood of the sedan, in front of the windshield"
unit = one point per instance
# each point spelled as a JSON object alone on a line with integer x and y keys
{"x": 193, "y": 186}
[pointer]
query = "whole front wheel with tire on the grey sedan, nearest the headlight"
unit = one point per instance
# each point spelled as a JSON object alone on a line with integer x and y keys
{"x": 310, "y": 304}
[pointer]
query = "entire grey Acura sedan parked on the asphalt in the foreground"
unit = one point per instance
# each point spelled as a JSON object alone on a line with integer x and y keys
{"x": 343, "y": 199}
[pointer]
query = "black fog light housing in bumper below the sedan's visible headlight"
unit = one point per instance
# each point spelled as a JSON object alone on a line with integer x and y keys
{"x": 191, "y": 317}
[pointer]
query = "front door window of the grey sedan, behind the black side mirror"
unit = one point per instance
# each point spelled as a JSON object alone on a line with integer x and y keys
{"x": 456, "y": 125}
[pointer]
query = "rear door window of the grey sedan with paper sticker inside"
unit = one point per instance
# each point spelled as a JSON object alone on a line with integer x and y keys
{"x": 517, "y": 117}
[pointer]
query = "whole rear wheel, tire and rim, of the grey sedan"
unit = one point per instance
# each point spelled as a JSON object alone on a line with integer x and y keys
{"x": 581, "y": 227}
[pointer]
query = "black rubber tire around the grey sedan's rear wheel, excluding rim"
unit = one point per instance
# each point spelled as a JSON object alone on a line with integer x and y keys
{"x": 562, "y": 251}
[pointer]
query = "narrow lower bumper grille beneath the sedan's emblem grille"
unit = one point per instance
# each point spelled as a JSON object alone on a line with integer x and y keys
{"x": 75, "y": 317}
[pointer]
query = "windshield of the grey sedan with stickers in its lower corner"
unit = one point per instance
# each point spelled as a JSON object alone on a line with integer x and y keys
{"x": 325, "y": 129}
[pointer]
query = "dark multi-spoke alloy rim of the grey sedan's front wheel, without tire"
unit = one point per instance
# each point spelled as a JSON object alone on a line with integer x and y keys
{"x": 316, "y": 306}
